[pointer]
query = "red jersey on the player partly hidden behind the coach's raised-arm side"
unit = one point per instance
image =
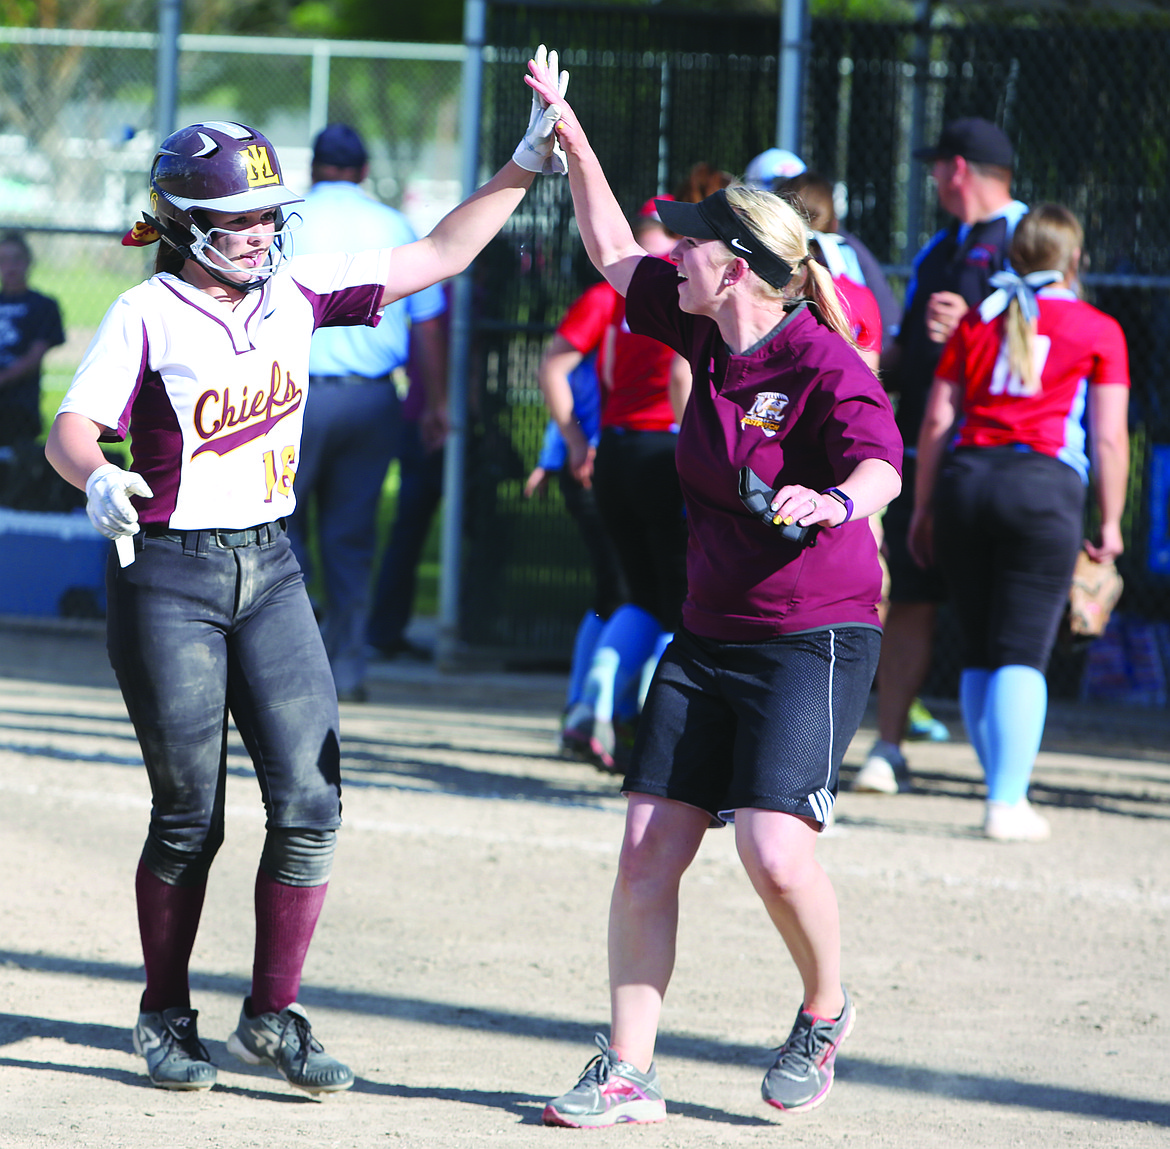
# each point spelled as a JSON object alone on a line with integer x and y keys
{"x": 634, "y": 370}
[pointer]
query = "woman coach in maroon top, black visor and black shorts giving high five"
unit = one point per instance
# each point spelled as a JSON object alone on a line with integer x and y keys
{"x": 756, "y": 700}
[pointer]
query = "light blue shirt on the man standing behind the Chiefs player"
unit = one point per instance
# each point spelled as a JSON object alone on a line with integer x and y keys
{"x": 340, "y": 217}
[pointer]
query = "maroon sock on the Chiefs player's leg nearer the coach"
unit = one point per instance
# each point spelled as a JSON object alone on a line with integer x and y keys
{"x": 286, "y": 918}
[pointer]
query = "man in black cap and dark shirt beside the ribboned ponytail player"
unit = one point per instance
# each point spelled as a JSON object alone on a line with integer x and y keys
{"x": 972, "y": 167}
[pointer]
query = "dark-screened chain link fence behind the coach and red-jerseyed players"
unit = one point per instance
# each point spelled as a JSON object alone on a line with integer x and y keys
{"x": 662, "y": 92}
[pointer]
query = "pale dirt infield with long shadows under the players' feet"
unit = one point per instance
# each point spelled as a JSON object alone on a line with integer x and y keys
{"x": 1007, "y": 995}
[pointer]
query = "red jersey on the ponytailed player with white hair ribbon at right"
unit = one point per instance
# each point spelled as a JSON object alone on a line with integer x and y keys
{"x": 1077, "y": 347}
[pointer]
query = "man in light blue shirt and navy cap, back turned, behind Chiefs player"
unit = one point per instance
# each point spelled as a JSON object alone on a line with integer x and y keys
{"x": 354, "y": 418}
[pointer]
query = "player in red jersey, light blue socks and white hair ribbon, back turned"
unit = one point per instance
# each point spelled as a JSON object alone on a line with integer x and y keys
{"x": 1006, "y": 517}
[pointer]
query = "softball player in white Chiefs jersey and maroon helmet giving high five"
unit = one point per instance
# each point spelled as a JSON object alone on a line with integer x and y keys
{"x": 205, "y": 366}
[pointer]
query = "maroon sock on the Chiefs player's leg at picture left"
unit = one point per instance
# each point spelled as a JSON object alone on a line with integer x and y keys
{"x": 168, "y": 924}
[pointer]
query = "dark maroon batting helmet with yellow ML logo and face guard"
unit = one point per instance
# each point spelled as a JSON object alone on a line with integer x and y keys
{"x": 219, "y": 167}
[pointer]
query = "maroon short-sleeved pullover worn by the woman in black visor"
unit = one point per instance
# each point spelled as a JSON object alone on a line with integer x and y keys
{"x": 799, "y": 408}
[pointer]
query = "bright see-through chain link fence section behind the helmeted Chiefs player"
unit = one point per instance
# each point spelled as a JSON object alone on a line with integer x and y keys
{"x": 78, "y": 140}
